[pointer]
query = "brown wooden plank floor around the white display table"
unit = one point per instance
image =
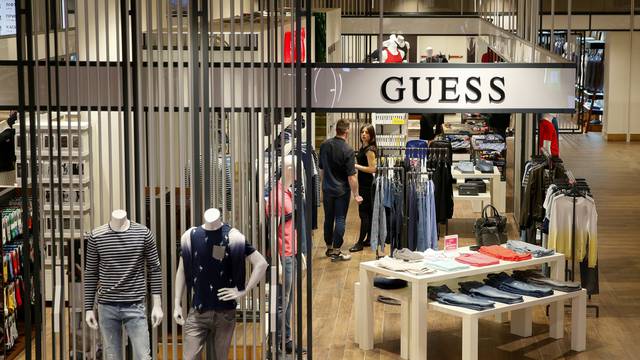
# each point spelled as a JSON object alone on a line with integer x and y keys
{"x": 613, "y": 171}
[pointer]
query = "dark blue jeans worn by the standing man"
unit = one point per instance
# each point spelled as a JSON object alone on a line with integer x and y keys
{"x": 335, "y": 210}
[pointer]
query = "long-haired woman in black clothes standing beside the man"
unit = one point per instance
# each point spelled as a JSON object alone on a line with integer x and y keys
{"x": 366, "y": 166}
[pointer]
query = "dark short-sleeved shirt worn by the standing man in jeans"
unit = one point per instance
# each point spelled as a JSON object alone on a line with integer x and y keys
{"x": 337, "y": 160}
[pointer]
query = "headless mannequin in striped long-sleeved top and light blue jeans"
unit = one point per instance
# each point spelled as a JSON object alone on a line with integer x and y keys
{"x": 113, "y": 254}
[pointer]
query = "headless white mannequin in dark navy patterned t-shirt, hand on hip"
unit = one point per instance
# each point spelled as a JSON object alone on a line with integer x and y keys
{"x": 219, "y": 304}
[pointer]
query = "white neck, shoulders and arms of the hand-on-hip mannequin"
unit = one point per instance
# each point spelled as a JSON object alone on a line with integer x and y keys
{"x": 212, "y": 222}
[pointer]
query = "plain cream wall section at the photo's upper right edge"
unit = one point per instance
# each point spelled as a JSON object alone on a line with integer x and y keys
{"x": 622, "y": 86}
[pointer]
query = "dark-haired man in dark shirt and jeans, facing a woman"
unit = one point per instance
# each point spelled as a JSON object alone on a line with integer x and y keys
{"x": 339, "y": 183}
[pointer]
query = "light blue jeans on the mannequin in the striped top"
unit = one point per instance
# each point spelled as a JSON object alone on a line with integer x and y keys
{"x": 112, "y": 317}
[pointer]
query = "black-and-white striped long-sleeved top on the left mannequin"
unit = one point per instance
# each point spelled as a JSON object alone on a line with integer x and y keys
{"x": 115, "y": 265}
